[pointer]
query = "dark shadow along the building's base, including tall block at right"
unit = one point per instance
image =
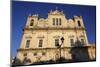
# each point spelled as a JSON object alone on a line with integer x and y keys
{"x": 79, "y": 53}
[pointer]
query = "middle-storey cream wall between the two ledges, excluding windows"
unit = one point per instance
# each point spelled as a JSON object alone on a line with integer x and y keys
{"x": 49, "y": 36}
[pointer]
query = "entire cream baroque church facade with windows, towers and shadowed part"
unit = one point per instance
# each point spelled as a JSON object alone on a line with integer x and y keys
{"x": 53, "y": 38}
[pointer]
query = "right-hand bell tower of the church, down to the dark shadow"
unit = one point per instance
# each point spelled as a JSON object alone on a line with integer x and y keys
{"x": 80, "y": 30}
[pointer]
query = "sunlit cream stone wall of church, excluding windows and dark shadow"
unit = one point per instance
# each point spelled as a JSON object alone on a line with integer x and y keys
{"x": 45, "y": 30}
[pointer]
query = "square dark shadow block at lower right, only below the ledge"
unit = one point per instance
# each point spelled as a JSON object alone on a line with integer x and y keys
{"x": 80, "y": 54}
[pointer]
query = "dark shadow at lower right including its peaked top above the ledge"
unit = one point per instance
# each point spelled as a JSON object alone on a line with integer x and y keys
{"x": 79, "y": 52}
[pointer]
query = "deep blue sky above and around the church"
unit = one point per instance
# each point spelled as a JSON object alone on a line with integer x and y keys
{"x": 21, "y": 10}
